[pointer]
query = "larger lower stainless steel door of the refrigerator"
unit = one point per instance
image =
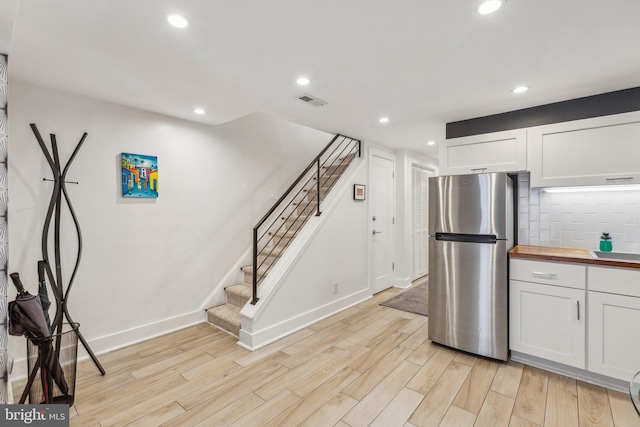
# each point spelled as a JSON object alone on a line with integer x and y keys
{"x": 468, "y": 296}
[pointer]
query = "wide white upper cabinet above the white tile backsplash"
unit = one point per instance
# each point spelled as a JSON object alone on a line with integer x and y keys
{"x": 598, "y": 151}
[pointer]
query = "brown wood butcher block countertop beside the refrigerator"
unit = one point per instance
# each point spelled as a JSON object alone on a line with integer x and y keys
{"x": 579, "y": 256}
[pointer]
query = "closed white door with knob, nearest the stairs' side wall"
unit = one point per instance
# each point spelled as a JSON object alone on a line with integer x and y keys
{"x": 381, "y": 222}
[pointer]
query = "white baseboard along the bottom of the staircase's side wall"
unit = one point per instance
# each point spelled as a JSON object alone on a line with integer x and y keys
{"x": 255, "y": 340}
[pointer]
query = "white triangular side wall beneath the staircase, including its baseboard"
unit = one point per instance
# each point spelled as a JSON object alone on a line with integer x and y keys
{"x": 265, "y": 321}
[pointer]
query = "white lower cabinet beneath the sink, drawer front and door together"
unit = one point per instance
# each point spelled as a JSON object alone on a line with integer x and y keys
{"x": 614, "y": 317}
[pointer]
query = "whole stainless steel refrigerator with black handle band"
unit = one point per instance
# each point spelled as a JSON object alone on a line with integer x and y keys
{"x": 470, "y": 234}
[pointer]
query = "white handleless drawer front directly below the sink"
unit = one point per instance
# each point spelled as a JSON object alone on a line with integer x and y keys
{"x": 614, "y": 280}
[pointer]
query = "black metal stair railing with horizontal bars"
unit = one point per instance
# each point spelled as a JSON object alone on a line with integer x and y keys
{"x": 270, "y": 235}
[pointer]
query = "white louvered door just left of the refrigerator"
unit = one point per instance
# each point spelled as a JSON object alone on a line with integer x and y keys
{"x": 420, "y": 220}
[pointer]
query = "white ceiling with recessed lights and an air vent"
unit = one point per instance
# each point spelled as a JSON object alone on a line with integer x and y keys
{"x": 421, "y": 63}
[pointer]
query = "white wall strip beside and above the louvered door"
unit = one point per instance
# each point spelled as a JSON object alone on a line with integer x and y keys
{"x": 404, "y": 251}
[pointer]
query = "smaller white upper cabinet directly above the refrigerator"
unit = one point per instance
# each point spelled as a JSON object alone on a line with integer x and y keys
{"x": 494, "y": 152}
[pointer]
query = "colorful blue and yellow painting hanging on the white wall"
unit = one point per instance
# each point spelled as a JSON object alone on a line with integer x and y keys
{"x": 139, "y": 175}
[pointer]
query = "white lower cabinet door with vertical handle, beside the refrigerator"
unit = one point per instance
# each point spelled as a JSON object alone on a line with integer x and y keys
{"x": 548, "y": 322}
